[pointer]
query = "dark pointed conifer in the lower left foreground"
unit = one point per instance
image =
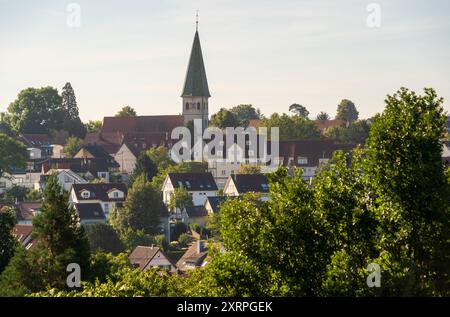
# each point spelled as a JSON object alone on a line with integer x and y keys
{"x": 60, "y": 239}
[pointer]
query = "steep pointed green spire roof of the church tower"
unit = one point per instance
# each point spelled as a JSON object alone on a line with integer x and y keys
{"x": 196, "y": 84}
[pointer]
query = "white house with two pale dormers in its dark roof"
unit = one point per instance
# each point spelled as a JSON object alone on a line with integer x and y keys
{"x": 107, "y": 195}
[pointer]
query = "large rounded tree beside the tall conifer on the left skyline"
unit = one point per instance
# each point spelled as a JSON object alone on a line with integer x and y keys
{"x": 36, "y": 110}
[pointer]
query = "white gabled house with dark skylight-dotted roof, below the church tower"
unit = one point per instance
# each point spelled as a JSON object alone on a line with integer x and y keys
{"x": 199, "y": 185}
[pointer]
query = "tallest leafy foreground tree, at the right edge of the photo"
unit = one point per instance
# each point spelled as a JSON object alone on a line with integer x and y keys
{"x": 405, "y": 170}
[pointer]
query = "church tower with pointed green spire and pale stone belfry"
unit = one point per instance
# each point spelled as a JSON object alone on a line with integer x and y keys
{"x": 196, "y": 92}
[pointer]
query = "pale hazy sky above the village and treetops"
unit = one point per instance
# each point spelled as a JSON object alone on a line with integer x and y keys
{"x": 267, "y": 53}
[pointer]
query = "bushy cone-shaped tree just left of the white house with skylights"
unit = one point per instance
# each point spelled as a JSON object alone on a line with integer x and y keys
{"x": 142, "y": 209}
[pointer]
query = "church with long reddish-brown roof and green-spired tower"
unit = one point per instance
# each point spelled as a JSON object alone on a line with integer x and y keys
{"x": 142, "y": 132}
